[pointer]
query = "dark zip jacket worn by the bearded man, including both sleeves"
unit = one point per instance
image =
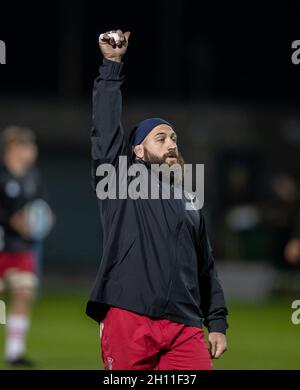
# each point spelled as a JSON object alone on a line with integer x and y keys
{"x": 156, "y": 260}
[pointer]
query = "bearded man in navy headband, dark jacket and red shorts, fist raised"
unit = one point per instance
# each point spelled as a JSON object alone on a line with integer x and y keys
{"x": 157, "y": 283}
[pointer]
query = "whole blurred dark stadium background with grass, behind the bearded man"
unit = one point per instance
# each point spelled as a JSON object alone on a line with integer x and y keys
{"x": 223, "y": 74}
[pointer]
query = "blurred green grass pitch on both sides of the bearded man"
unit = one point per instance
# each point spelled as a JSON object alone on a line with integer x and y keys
{"x": 261, "y": 336}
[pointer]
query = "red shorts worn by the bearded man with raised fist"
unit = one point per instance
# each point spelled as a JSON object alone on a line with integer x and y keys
{"x": 132, "y": 341}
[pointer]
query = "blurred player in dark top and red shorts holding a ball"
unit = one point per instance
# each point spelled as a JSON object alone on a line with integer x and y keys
{"x": 25, "y": 219}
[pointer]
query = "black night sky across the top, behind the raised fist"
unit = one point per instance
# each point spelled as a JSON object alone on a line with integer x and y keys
{"x": 179, "y": 49}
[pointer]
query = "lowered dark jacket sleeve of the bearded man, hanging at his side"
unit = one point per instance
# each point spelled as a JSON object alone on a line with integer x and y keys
{"x": 213, "y": 305}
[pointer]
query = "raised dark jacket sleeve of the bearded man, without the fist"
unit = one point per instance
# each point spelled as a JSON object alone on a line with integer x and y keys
{"x": 107, "y": 135}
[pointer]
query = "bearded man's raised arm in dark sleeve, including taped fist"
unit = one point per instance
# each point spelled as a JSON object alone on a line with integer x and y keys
{"x": 107, "y": 136}
